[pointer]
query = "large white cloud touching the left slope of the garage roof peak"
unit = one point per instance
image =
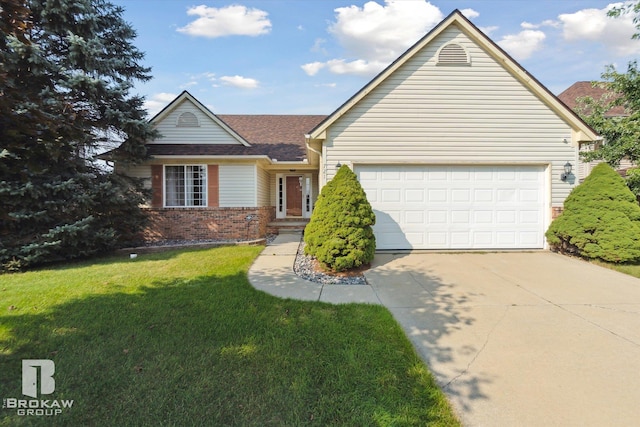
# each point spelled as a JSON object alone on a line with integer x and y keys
{"x": 377, "y": 32}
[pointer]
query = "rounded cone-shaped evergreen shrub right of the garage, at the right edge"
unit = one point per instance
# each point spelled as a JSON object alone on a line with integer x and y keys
{"x": 601, "y": 219}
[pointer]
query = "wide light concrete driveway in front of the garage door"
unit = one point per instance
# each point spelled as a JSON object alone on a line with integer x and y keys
{"x": 521, "y": 339}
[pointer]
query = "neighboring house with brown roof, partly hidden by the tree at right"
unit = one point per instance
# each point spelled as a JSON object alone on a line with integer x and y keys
{"x": 571, "y": 96}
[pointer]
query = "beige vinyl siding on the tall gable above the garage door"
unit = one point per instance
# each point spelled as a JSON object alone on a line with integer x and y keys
{"x": 426, "y": 113}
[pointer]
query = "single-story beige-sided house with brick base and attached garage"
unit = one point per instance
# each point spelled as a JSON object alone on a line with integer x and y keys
{"x": 455, "y": 144}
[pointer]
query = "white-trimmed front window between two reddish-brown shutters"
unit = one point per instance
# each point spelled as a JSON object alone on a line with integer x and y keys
{"x": 185, "y": 186}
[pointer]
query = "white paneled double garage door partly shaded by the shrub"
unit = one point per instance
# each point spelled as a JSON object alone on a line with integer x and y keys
{"x": 456, "y": 207}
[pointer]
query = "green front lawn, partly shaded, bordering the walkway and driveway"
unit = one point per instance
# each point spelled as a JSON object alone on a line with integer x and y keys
{"x": 181, "y": 338}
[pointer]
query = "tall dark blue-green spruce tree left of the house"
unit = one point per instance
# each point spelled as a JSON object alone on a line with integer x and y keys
{"x": 67, "y": 67}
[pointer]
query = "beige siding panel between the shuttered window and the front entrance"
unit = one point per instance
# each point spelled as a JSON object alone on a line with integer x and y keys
{"x": 238, "y": 186}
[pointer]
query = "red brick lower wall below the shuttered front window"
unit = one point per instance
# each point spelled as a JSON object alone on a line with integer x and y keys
{"x": 208, "y": 223}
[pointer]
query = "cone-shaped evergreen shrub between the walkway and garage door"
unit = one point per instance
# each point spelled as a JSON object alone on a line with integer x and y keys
{"x": 339, "y": 233}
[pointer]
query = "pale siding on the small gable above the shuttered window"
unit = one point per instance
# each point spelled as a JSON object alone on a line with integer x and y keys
{"x": 208, "y": 131}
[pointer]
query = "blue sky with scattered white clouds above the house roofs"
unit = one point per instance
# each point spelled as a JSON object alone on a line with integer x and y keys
{"x": 308, "y": 57}
